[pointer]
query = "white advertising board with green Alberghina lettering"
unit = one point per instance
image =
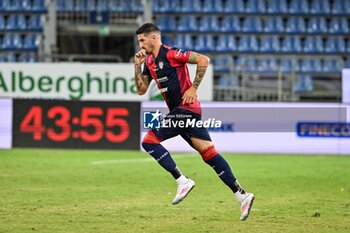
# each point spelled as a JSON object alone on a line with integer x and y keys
{"x": 80, "y": 81}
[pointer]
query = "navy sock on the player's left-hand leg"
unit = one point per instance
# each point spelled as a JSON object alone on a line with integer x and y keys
{"x": 163, "y": 157}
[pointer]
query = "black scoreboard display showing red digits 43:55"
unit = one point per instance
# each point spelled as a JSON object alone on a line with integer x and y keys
{"x": 76, "y": 124}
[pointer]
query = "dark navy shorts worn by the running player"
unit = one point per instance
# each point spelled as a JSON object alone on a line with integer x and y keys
{"x": 172, "y": 122}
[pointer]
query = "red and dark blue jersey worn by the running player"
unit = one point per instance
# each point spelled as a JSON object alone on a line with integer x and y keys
{"x": 169, "y": 70}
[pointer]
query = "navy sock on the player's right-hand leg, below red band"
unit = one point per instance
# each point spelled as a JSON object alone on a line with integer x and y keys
{"x": 223, "y": 170}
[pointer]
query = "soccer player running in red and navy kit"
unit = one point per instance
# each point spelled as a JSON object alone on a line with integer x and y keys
{"x": 167, "y": 67}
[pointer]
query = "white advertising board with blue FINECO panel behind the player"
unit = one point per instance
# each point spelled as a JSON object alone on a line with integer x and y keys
{"x": 271, "y": 127}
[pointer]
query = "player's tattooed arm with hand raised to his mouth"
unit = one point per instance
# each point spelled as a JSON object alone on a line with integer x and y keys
{"x": 142, "y": 81}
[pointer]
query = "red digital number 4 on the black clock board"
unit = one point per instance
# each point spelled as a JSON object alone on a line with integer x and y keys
{"x": 32, "y": 123}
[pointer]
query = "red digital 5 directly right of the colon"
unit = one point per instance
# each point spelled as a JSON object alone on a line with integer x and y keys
{"x": 90, "y": 117}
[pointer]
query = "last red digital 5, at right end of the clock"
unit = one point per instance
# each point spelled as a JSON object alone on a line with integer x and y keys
{"x": 113, "y": 119}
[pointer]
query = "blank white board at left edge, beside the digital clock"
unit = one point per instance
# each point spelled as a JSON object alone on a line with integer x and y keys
{"x": 5, "y": 123}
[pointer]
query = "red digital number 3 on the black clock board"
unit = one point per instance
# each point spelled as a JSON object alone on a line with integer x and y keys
{"x": 62, "y": 122}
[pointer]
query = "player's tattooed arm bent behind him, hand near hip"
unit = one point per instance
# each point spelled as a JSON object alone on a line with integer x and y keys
{"x": 202, "y": 62}
